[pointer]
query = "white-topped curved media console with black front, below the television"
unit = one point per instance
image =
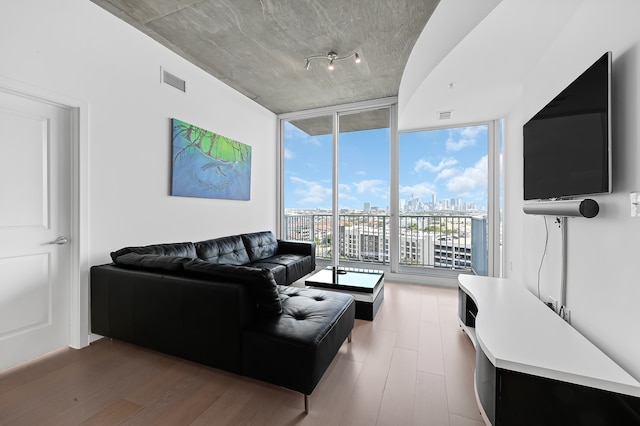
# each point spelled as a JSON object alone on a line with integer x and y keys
{"x": 534, "y": 368}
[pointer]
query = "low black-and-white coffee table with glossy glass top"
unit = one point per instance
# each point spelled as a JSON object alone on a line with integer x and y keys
{"x": 365, "y": 285}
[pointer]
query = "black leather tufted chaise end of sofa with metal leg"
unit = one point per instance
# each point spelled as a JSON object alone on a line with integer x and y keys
{"x": 294, "y": 349}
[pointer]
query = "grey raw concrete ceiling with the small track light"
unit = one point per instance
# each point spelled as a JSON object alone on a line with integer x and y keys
{"x": 259, "y": 47}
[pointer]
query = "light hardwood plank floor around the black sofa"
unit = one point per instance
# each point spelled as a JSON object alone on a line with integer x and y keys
{"x": 411, "y": 366}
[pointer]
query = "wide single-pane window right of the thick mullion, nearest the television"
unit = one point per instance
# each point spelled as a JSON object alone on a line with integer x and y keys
{"x": 447, "y": 199}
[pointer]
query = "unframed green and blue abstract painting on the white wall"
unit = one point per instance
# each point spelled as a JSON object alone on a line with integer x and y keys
{"x": 208, "y": 165}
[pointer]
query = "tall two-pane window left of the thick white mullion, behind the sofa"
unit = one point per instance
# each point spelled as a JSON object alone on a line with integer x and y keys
{"x": 335, "y": 183}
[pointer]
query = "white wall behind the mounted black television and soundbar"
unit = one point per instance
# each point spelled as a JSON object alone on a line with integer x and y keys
{"x": 603, "y": 288}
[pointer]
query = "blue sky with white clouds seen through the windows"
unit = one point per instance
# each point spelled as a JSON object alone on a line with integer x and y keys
{"x": 451, "y": 163}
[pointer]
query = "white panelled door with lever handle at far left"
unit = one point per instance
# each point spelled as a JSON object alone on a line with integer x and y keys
{"x": 34, "y": 228}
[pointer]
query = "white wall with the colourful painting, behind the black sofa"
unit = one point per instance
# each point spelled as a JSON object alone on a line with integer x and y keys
{"x": 76, "y": 50}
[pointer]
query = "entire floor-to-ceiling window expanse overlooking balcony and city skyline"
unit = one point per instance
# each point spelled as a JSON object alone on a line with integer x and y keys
{"x": 419, "y": 202}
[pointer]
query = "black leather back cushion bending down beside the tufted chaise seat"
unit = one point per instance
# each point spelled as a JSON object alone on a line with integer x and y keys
{"x": 261, "y": 283}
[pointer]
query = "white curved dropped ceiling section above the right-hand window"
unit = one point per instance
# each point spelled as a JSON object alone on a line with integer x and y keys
{"x": 489, "y": 53}
